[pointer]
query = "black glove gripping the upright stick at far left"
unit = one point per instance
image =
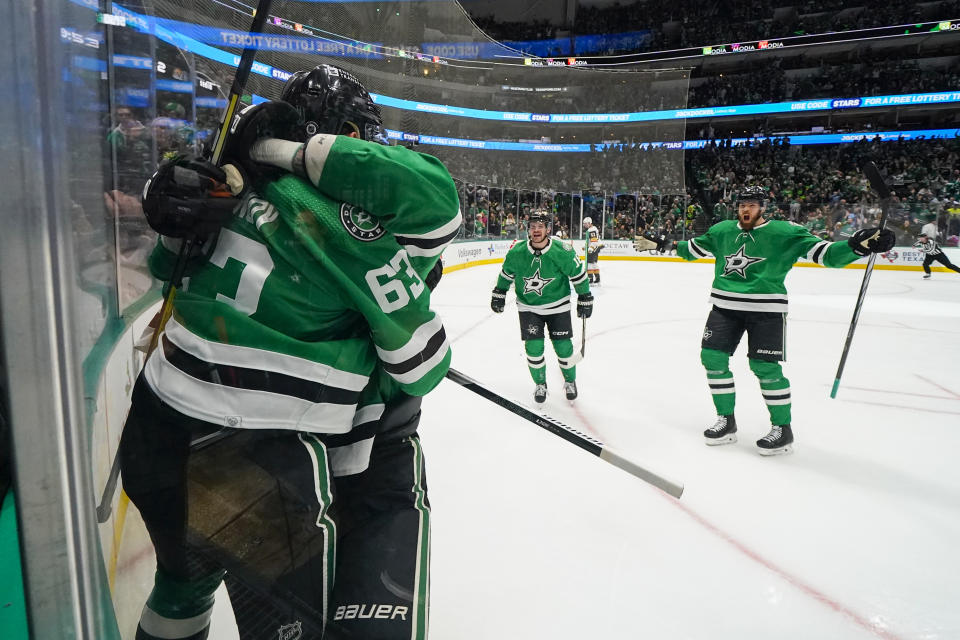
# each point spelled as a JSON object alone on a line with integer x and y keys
{"x": 187, "y": 197}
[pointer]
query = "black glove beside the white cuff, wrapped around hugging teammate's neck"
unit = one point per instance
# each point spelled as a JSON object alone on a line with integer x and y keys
{"x": 274, "y": 119}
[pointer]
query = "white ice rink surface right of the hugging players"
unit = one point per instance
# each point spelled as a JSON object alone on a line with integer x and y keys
{"x": 854, "y": 535}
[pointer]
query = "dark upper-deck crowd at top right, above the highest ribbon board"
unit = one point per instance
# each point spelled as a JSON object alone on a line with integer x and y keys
{"x": 693, "y": 23}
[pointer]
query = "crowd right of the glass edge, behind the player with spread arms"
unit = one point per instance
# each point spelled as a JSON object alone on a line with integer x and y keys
{"x": 825, "y": 184}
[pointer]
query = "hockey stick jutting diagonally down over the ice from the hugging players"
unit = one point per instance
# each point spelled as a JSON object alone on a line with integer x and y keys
{"x": 585, "y": 442}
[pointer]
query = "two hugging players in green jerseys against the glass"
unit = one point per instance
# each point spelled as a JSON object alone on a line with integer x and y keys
{"x": 298, "y": 350}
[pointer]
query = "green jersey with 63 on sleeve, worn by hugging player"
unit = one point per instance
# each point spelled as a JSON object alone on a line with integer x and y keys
{"x": 312, "y": 288}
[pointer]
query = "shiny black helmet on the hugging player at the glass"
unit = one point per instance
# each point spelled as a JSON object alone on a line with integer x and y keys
{"x": 329, "y": 97}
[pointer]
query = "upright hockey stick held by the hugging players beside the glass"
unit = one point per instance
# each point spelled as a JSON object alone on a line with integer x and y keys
{"x": 219, "y": 143}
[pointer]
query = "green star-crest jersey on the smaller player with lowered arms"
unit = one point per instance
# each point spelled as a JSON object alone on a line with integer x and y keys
{"x": 542, "y": 278}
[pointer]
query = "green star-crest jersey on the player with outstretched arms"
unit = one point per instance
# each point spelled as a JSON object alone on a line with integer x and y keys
{"x": 751, "y": 265}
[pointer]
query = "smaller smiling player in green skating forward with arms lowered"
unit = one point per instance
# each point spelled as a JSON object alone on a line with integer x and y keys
{"x": 541, "y": 271}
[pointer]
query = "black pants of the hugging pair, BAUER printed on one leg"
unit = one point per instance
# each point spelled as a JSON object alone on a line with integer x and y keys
{"x": 304, "y": 552}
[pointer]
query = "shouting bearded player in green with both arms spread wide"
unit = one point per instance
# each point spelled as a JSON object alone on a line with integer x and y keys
{"x": 753, "y": 256}
